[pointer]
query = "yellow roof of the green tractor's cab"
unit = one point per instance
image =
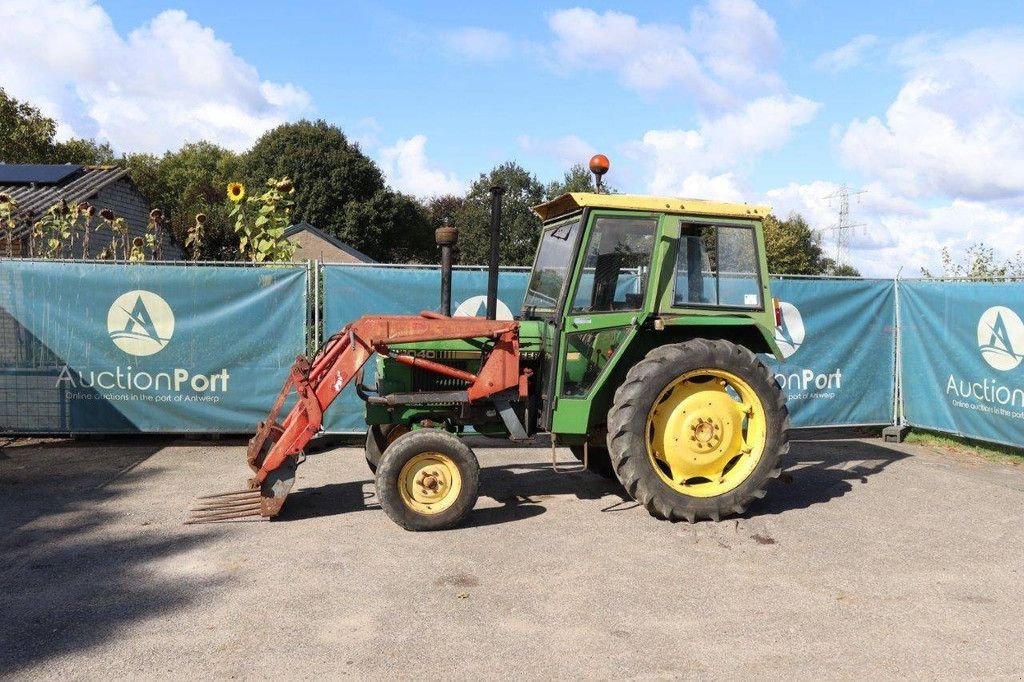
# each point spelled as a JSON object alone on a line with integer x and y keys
{"x": 575, "y": 201}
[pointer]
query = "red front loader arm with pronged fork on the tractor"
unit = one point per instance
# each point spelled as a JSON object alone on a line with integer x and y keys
{"x": 273, "y": 453}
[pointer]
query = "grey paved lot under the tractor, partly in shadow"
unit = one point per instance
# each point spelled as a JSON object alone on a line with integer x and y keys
{"x": 874, "y": 561}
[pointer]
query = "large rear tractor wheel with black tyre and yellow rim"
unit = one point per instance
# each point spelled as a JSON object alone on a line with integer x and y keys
{"x": 698, "y": 431}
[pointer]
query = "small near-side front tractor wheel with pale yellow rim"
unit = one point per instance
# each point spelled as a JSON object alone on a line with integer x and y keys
{"x": 429, "y": 481}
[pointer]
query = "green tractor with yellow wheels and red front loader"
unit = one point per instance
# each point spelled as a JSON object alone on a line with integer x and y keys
{"x": 636, "y": 348}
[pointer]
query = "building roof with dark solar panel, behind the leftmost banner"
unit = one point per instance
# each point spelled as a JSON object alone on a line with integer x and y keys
{"x": 35, "y": 190}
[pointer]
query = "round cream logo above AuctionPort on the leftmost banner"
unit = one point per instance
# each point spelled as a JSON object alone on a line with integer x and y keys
{"x": 141, "y": 323}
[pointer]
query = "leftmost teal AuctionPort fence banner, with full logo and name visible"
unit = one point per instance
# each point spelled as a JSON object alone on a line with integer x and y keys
{"x": 111, "y": 349}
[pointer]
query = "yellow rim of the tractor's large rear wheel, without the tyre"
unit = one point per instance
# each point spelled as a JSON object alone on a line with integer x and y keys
{"x": 706, "y": 433}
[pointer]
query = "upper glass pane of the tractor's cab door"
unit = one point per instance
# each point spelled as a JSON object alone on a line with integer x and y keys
{"x": 617, "y": 265}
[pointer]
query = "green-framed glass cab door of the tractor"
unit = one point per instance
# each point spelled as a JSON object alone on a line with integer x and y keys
{"x": 607, "y": 302}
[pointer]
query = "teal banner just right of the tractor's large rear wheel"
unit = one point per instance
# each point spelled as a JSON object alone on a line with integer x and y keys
{"x": 838, "y": 338}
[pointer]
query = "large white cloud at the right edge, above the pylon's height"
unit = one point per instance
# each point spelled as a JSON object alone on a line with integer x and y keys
{"x": 956, "y": 130}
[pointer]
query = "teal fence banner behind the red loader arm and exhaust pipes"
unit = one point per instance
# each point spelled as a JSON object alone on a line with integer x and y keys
{"x": 351, "y": 292}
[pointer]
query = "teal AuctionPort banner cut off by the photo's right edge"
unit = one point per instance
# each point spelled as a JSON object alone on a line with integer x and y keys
{"x": 962, "y": 346}
